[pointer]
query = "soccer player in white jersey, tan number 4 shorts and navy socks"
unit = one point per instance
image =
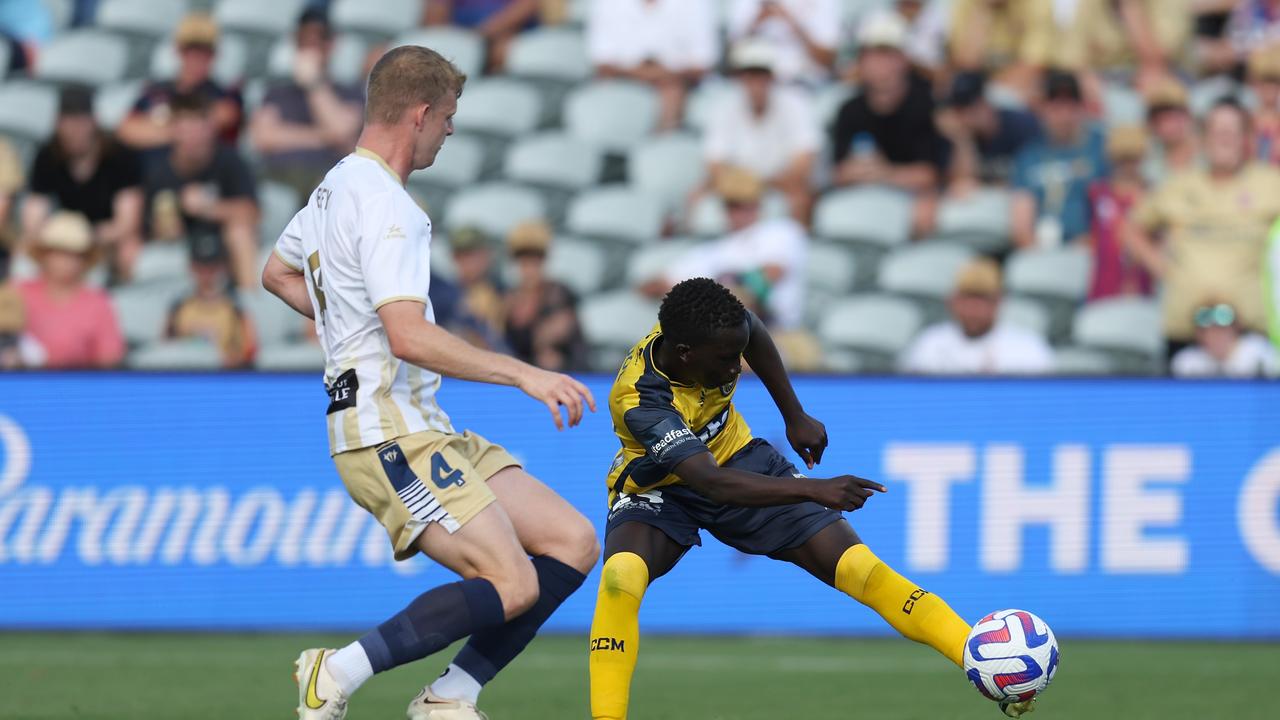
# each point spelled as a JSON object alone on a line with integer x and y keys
{"x": 356, "y": 259}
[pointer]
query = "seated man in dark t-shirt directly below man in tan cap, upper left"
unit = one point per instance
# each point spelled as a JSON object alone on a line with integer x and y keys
{"x": 200, "y": 188}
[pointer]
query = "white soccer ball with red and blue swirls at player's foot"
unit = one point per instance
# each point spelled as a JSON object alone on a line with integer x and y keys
{"x": 1011, "y": 657}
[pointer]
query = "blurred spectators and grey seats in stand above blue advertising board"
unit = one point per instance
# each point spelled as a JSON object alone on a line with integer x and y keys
{"x": 921, "y": 186}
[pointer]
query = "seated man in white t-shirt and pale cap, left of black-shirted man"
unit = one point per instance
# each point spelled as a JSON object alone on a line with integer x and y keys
{"x": 765, "y": 127}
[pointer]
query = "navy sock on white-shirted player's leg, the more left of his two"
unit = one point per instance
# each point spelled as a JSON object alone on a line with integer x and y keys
{"x": 432, "y": 622}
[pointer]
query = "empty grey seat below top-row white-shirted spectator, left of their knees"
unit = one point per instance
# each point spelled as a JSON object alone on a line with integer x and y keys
{"x": 614, "y": 115}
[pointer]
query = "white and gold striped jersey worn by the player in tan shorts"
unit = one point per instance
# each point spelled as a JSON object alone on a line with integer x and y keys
{"x": 363, "y": 243}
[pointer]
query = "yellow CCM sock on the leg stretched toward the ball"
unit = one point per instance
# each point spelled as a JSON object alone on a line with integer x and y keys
{"x": 917, "y": 614}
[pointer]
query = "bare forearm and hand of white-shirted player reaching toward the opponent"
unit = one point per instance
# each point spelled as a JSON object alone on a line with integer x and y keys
{"x": 415, "y": 340}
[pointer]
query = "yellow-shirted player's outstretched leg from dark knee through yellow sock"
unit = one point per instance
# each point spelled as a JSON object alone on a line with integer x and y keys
{"x": 836, "y": 557}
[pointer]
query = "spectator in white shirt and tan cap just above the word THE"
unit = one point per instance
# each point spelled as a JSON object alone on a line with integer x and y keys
{"x": 973, "y": 343}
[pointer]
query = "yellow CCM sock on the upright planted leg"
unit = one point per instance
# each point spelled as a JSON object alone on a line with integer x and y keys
{"x": 616, "y": 635}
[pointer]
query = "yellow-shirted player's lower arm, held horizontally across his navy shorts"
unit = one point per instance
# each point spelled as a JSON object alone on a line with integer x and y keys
{"x": 752, "y": 490}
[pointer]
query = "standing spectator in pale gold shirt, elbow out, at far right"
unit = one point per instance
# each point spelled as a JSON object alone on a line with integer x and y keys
{"x": 1213, "y": 225}
